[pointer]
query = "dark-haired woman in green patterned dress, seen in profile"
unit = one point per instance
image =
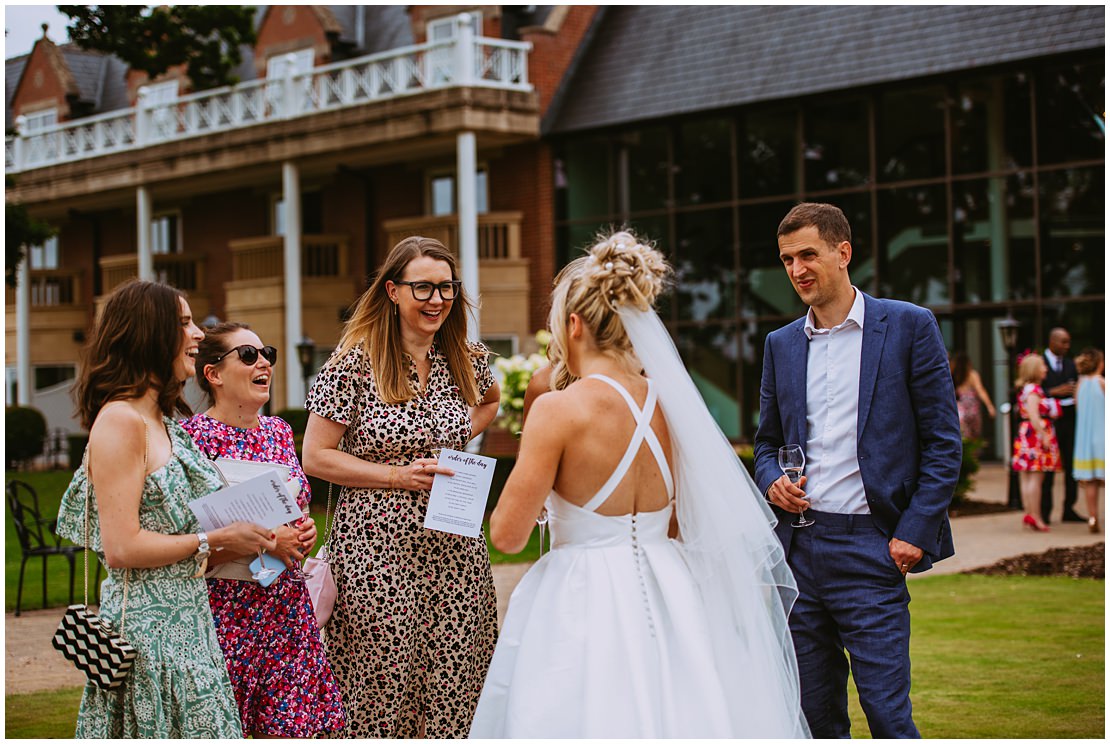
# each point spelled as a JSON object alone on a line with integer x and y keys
{"x": 143, "y": 470}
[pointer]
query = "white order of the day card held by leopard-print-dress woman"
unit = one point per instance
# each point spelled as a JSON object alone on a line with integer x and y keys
{"x": 458, "y": 502}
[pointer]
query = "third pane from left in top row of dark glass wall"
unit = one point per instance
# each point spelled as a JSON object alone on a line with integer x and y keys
{"x": 702, "y": 163}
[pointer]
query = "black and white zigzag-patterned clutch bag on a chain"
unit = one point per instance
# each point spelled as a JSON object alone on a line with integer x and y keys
{"x": 104, "y": 656}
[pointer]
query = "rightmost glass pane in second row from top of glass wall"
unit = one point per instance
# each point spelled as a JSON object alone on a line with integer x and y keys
{"x": 1074, "y": 233}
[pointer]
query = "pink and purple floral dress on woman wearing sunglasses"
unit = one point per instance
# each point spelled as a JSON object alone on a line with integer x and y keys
{"x": 284, "y": 683}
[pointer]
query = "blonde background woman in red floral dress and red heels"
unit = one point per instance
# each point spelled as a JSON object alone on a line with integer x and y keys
{"x": 1036, "y": 450}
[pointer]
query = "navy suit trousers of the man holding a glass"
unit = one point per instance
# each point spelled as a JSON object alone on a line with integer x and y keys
{"x": 852, "y": 598}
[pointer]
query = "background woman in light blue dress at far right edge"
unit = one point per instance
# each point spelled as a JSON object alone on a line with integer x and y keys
{"x": 1089, "y": 464}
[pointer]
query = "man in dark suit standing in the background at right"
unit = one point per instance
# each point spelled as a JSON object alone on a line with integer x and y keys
{"x": 1061, "y": 384}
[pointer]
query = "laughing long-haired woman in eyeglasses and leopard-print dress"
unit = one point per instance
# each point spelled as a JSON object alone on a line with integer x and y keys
{"x": 416, "y": 621}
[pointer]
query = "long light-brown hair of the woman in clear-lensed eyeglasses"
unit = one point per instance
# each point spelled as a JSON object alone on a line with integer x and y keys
{"x": 376, "y": 326}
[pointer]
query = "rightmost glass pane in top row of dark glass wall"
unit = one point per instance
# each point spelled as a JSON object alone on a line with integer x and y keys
{"x": 1071, "y": 110}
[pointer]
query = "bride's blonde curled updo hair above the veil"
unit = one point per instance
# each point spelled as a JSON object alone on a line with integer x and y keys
{"x": 618, "y": 272}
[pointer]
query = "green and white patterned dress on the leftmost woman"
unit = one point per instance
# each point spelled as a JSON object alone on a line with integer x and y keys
{"x": 179, "y": 687}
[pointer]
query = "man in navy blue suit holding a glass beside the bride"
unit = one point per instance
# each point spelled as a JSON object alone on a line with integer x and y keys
{"x": 863, "y": 385}
